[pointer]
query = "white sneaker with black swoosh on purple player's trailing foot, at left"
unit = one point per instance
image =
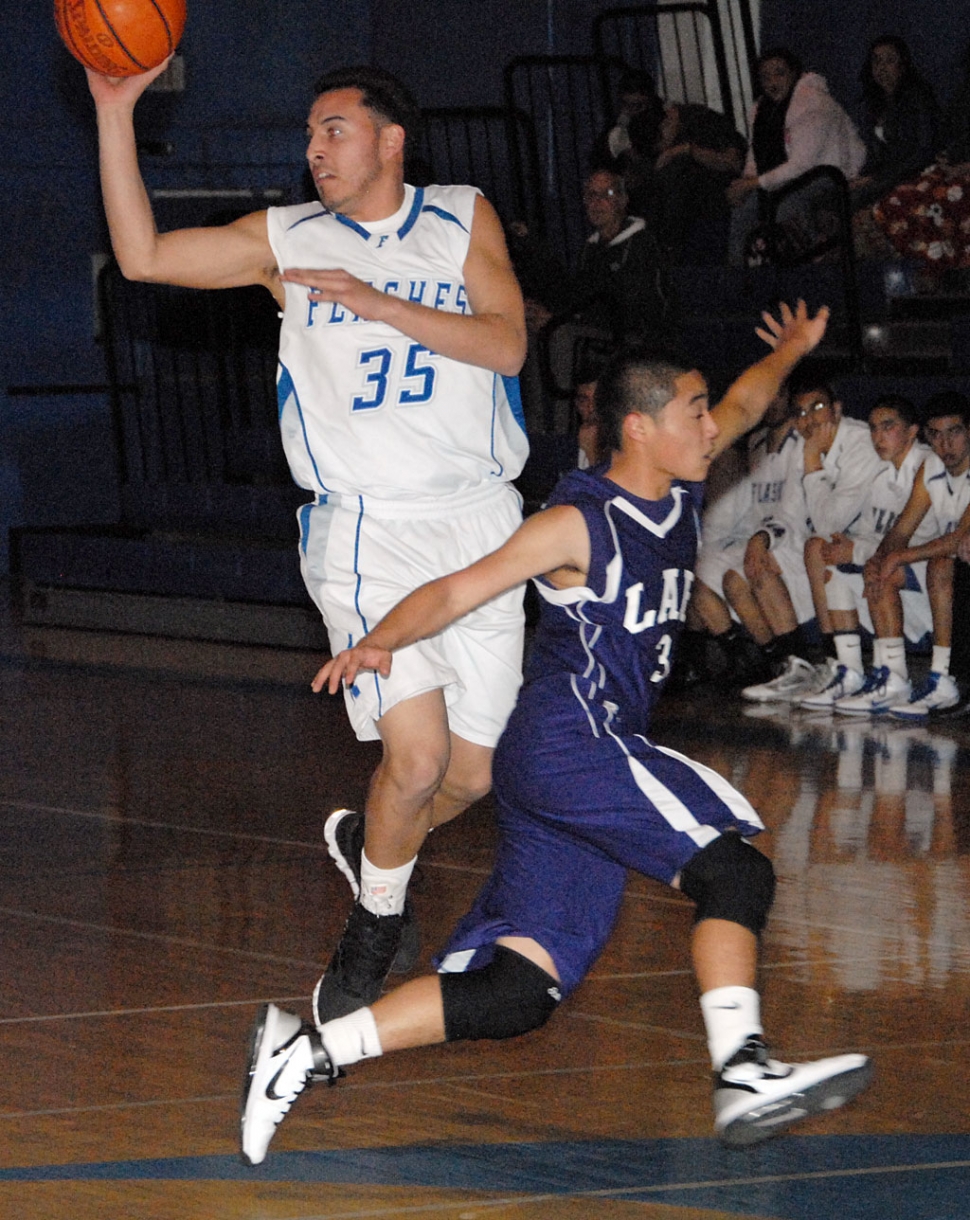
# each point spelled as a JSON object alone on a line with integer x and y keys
{"x": 285, "y": 1057}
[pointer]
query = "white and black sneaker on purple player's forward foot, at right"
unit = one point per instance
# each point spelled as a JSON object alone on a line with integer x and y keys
{"x": 757, "y": 1097}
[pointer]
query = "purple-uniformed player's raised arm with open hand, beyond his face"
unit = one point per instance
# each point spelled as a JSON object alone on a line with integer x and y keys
{"x": 791, "y": 337}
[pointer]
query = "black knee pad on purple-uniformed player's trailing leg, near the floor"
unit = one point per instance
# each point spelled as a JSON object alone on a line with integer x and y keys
{"x": 508, "y": 997}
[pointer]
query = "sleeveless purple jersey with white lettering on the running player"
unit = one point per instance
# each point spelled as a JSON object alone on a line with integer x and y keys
{"x": 612, "y": 641}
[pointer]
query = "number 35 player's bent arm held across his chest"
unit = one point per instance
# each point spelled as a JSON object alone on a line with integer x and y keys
{"x": 494, "y": 336}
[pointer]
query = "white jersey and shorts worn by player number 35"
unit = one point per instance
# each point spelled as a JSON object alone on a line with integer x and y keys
{"x": 409, "y": 453}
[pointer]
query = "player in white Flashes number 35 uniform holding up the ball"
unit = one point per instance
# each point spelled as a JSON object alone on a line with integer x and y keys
{"x": 403, "y": 331}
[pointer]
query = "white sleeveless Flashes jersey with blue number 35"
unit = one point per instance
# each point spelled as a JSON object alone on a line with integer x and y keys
{"x": 363, "y": 408}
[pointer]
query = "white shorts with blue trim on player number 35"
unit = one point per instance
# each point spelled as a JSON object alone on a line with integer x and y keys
{"x": 361, "y": 558}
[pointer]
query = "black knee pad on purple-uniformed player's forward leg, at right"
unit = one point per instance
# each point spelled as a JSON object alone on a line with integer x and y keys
{"x": 731, "y": 880}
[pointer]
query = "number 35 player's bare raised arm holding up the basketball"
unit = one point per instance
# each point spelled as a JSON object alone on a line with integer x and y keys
{"x": 199, "y": 258}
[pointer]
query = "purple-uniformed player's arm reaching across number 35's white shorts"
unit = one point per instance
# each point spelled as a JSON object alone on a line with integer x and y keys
{"x": 555, "y": 542}
